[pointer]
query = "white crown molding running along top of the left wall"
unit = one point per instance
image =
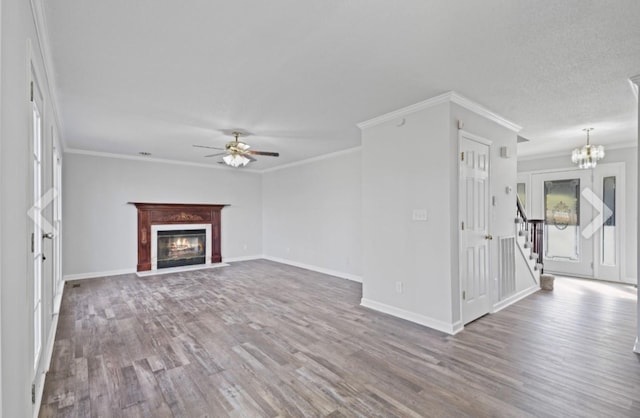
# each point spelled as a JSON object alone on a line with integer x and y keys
{"x": 40, "y": 24}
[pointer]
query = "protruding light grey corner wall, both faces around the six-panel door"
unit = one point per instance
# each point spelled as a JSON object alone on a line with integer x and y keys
{"x": 424, "y": 175}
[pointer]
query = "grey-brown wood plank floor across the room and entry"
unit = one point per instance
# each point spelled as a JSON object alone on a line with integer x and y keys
{"x": 264, "y": 339}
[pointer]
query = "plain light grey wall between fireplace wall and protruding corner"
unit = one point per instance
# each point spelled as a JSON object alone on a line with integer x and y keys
{"x": 312, "y": 214}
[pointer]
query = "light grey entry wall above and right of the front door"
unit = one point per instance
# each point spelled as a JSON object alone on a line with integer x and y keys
{"x": 629, "y": 157}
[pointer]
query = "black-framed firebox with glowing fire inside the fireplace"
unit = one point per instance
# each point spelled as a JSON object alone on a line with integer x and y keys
{"x": 181, "y": 248}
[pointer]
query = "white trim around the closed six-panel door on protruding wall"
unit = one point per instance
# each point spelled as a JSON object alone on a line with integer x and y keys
{"x": 461, "y": 135}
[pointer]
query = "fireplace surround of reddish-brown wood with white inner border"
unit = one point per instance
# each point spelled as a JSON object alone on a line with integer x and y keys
{"x": 154, "y": 217}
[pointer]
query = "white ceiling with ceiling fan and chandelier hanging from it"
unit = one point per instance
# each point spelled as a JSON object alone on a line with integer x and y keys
{"x": 159, "y": 76}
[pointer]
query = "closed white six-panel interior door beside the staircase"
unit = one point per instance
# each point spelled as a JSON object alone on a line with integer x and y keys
{"x": 474, "y": 227}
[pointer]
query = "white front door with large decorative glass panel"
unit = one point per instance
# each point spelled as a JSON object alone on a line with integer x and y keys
{"x": 560, "y": 199}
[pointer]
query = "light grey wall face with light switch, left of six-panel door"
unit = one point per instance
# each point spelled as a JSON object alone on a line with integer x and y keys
{"x": 408, "y": 167}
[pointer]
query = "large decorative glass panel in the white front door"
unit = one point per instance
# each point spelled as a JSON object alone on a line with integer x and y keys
{"x": 562, "y": 219}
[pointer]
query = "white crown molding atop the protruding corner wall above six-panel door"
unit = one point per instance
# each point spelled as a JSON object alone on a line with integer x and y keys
{"x": 449, "y": 97}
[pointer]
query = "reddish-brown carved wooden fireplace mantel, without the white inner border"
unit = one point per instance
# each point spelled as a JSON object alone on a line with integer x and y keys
{"x": 175, "y": 213}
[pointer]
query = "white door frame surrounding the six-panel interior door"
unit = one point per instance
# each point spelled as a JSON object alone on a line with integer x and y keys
{"x": 490, "y": 291}
